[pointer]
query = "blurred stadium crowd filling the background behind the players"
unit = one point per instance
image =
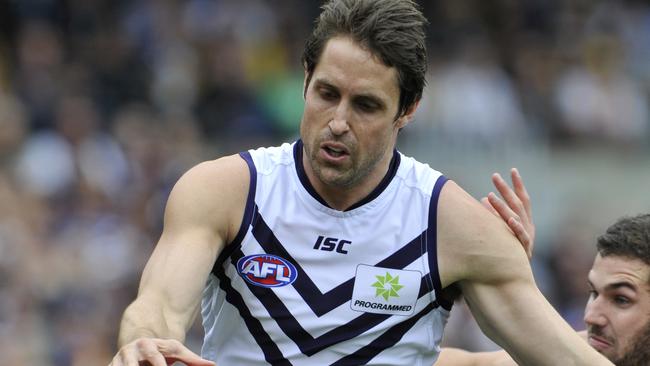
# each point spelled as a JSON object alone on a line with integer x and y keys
{"x": 105, "y": 103}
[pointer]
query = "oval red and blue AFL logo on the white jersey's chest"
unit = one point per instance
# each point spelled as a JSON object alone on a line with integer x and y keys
{"x": 267, "y": 270}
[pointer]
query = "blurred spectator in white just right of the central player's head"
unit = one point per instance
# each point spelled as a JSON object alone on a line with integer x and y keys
{"x": 472, "y": 98}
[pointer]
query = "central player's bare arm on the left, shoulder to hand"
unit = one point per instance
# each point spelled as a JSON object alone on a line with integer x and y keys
{"x": 203, "y": 213}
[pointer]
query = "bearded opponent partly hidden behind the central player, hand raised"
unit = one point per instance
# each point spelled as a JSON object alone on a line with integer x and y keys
{"x": 617, "y": 314}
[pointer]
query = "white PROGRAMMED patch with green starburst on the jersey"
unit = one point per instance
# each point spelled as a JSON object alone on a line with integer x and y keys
{"x": 385, "y": 290}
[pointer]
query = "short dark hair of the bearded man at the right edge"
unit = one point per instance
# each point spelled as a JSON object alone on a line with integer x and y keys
{"x": 629, "y": 237}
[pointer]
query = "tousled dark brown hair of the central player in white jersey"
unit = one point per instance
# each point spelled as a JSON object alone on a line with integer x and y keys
{"x": 392, "y": 30}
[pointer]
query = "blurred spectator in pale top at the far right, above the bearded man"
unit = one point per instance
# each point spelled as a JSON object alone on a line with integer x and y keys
{"x": 597, "y": 100}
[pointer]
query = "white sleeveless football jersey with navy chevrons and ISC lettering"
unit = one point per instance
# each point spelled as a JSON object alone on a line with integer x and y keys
{"x": 305, "y": 284}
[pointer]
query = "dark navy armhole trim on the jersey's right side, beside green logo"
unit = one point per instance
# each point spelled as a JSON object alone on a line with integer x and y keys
{"x": 432, "y": 243}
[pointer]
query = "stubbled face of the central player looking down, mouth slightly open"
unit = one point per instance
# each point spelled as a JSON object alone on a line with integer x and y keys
{"x": 349, "y": 125}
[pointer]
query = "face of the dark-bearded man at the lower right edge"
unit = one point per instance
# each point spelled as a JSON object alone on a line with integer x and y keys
{"x": 618, "y": 312}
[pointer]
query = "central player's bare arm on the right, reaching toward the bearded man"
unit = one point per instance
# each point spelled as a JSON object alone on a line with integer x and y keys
{"x": 477, "y": 252}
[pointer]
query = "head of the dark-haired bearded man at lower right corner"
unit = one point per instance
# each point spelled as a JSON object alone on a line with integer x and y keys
{"x": 618, "y": 312}
